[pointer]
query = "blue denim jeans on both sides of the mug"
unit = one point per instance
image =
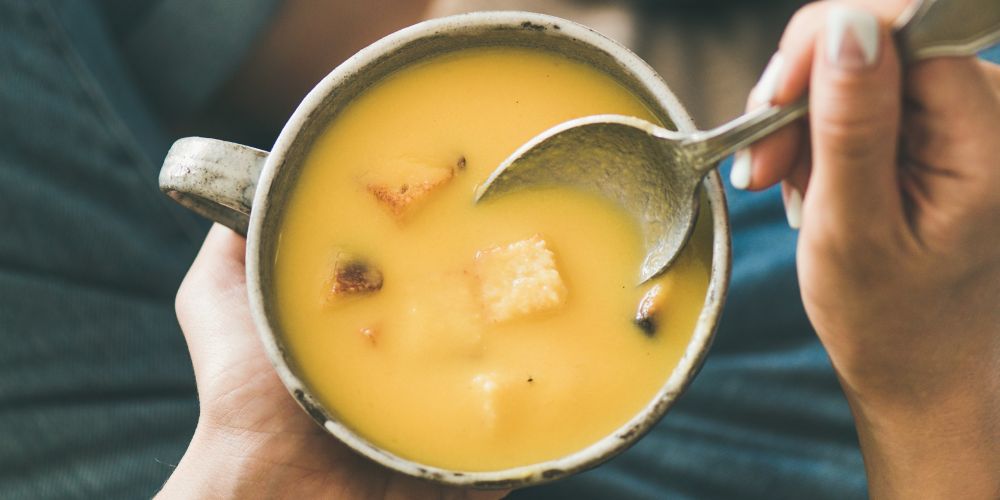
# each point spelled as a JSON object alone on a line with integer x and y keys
{"x": 97, "y": 396}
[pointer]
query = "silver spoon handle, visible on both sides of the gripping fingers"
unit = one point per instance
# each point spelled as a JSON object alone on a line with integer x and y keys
{"x": 930, "y": 28}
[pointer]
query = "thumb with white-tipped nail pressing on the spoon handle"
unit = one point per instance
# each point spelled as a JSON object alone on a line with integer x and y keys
{"x": 855, "y": 106}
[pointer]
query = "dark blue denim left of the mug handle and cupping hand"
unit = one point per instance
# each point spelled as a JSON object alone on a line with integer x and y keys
{"x": 96, "y": 390}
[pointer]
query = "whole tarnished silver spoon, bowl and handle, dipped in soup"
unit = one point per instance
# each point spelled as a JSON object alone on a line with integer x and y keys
{"x": 654, "y": 173}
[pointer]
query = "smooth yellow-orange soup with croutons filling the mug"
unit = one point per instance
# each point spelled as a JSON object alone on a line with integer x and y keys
{"x": 474, "y": 337}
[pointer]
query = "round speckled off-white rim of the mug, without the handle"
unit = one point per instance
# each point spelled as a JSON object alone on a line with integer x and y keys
{"x": 593, "y": 454}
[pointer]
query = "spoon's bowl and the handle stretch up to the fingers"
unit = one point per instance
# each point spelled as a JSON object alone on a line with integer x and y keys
{"x": 650, "y": 171}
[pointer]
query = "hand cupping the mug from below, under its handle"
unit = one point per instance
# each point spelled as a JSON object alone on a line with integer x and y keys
{"x": 252, "y": 440}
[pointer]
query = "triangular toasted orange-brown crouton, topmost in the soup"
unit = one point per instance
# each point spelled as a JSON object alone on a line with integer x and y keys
{"x": 400, "y": 187}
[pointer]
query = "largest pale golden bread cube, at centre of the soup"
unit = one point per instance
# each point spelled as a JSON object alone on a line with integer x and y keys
{"x": 518, "y": 279}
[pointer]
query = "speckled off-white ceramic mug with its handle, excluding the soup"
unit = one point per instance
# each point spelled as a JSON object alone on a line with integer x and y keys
{"x": 246, "y": 189}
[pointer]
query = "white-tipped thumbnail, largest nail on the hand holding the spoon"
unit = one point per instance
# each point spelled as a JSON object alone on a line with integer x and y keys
{"x": 852, "y": 37}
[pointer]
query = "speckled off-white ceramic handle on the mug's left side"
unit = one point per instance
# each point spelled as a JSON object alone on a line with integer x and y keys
{"x": 215, "y": 179}
